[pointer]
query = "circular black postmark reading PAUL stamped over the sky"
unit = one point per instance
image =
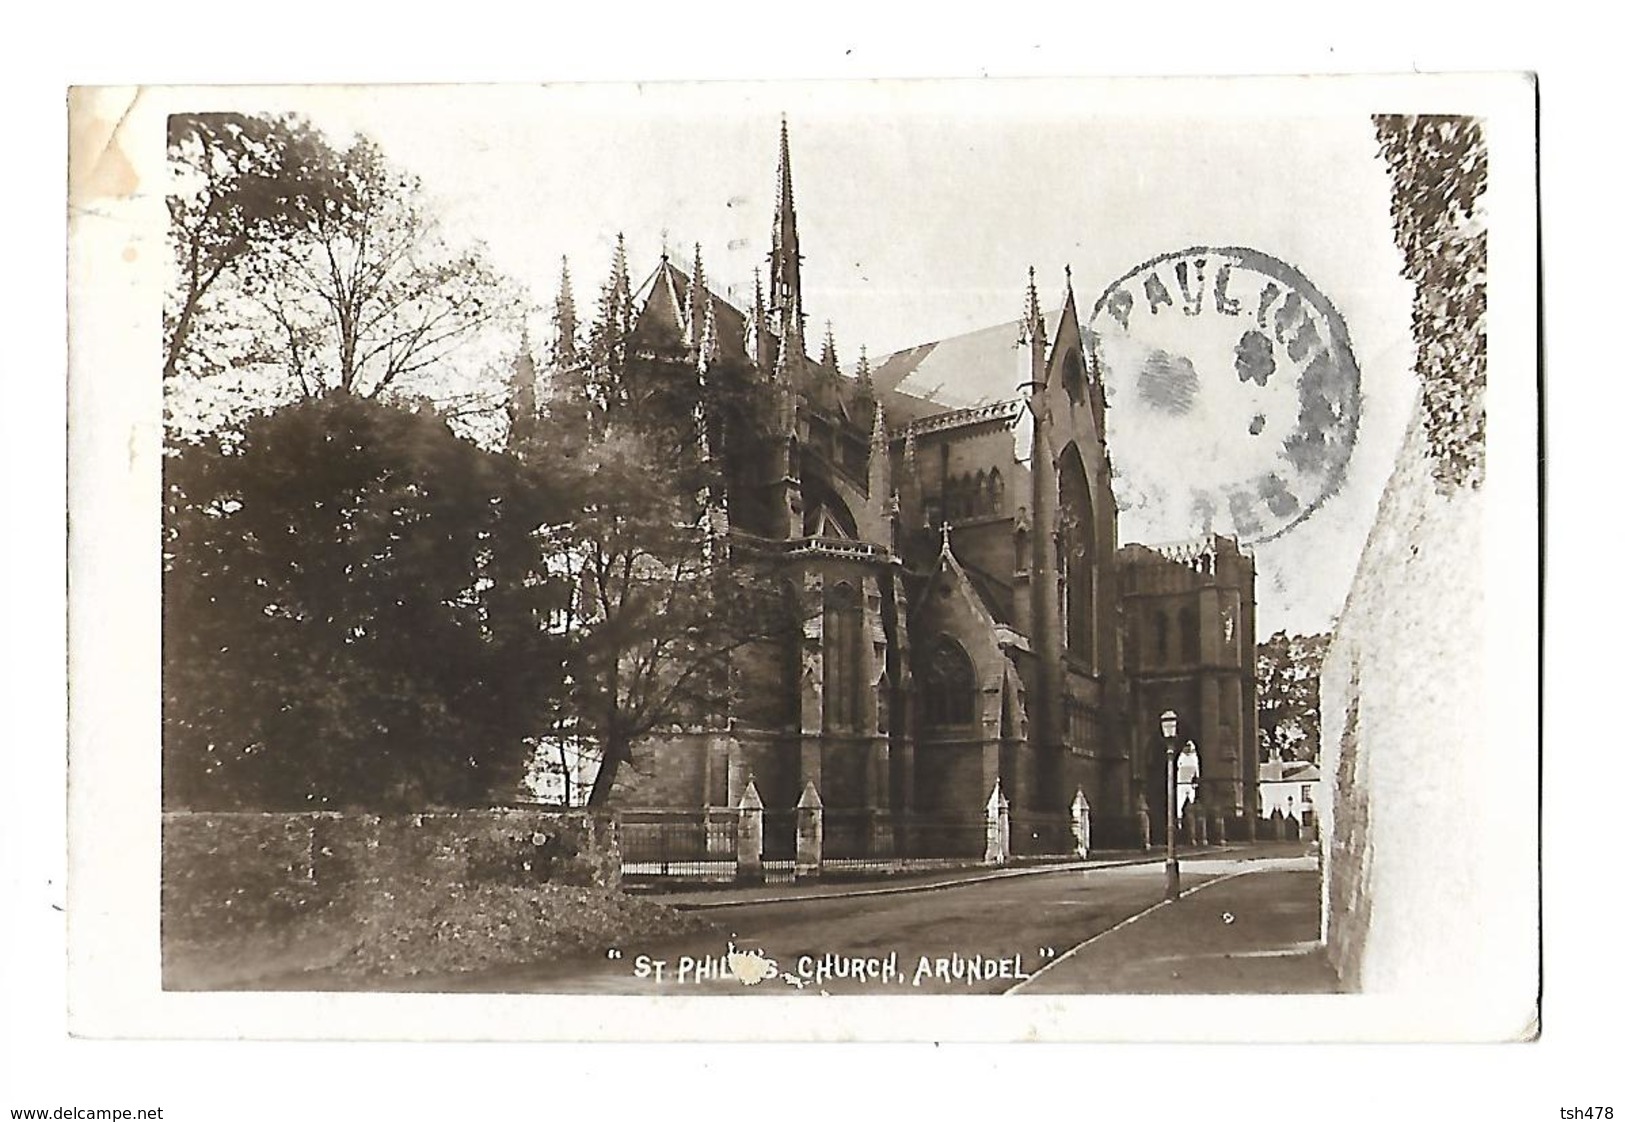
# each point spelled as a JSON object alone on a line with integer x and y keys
{"x": 1234, "y": 393}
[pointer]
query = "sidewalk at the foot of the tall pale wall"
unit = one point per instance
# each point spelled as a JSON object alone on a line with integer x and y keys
{"x": 1252, "y": 933}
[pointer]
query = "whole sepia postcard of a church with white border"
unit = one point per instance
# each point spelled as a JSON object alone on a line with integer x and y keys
{"x": 857, "y": 546}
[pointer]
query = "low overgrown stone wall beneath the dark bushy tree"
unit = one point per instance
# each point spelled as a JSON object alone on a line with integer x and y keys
{"x": 236, "y": 872}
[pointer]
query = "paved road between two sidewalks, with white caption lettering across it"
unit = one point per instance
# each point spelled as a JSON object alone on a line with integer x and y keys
{"x": 973, "y": 939}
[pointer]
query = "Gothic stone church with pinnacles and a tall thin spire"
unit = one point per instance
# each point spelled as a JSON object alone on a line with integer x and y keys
{"x": 968, "y": 620}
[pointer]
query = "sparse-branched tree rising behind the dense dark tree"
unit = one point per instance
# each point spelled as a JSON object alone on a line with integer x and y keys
{"x": 308, "y": 269}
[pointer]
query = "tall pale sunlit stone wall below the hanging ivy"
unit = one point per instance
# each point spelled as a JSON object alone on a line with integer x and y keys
{"x": 1431, "y": 858}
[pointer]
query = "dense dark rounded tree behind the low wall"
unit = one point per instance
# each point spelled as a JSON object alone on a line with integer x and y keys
{"x": 355, "y": 614}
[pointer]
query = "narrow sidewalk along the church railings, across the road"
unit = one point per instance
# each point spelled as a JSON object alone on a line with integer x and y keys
{"x": 891, "y": 885}
